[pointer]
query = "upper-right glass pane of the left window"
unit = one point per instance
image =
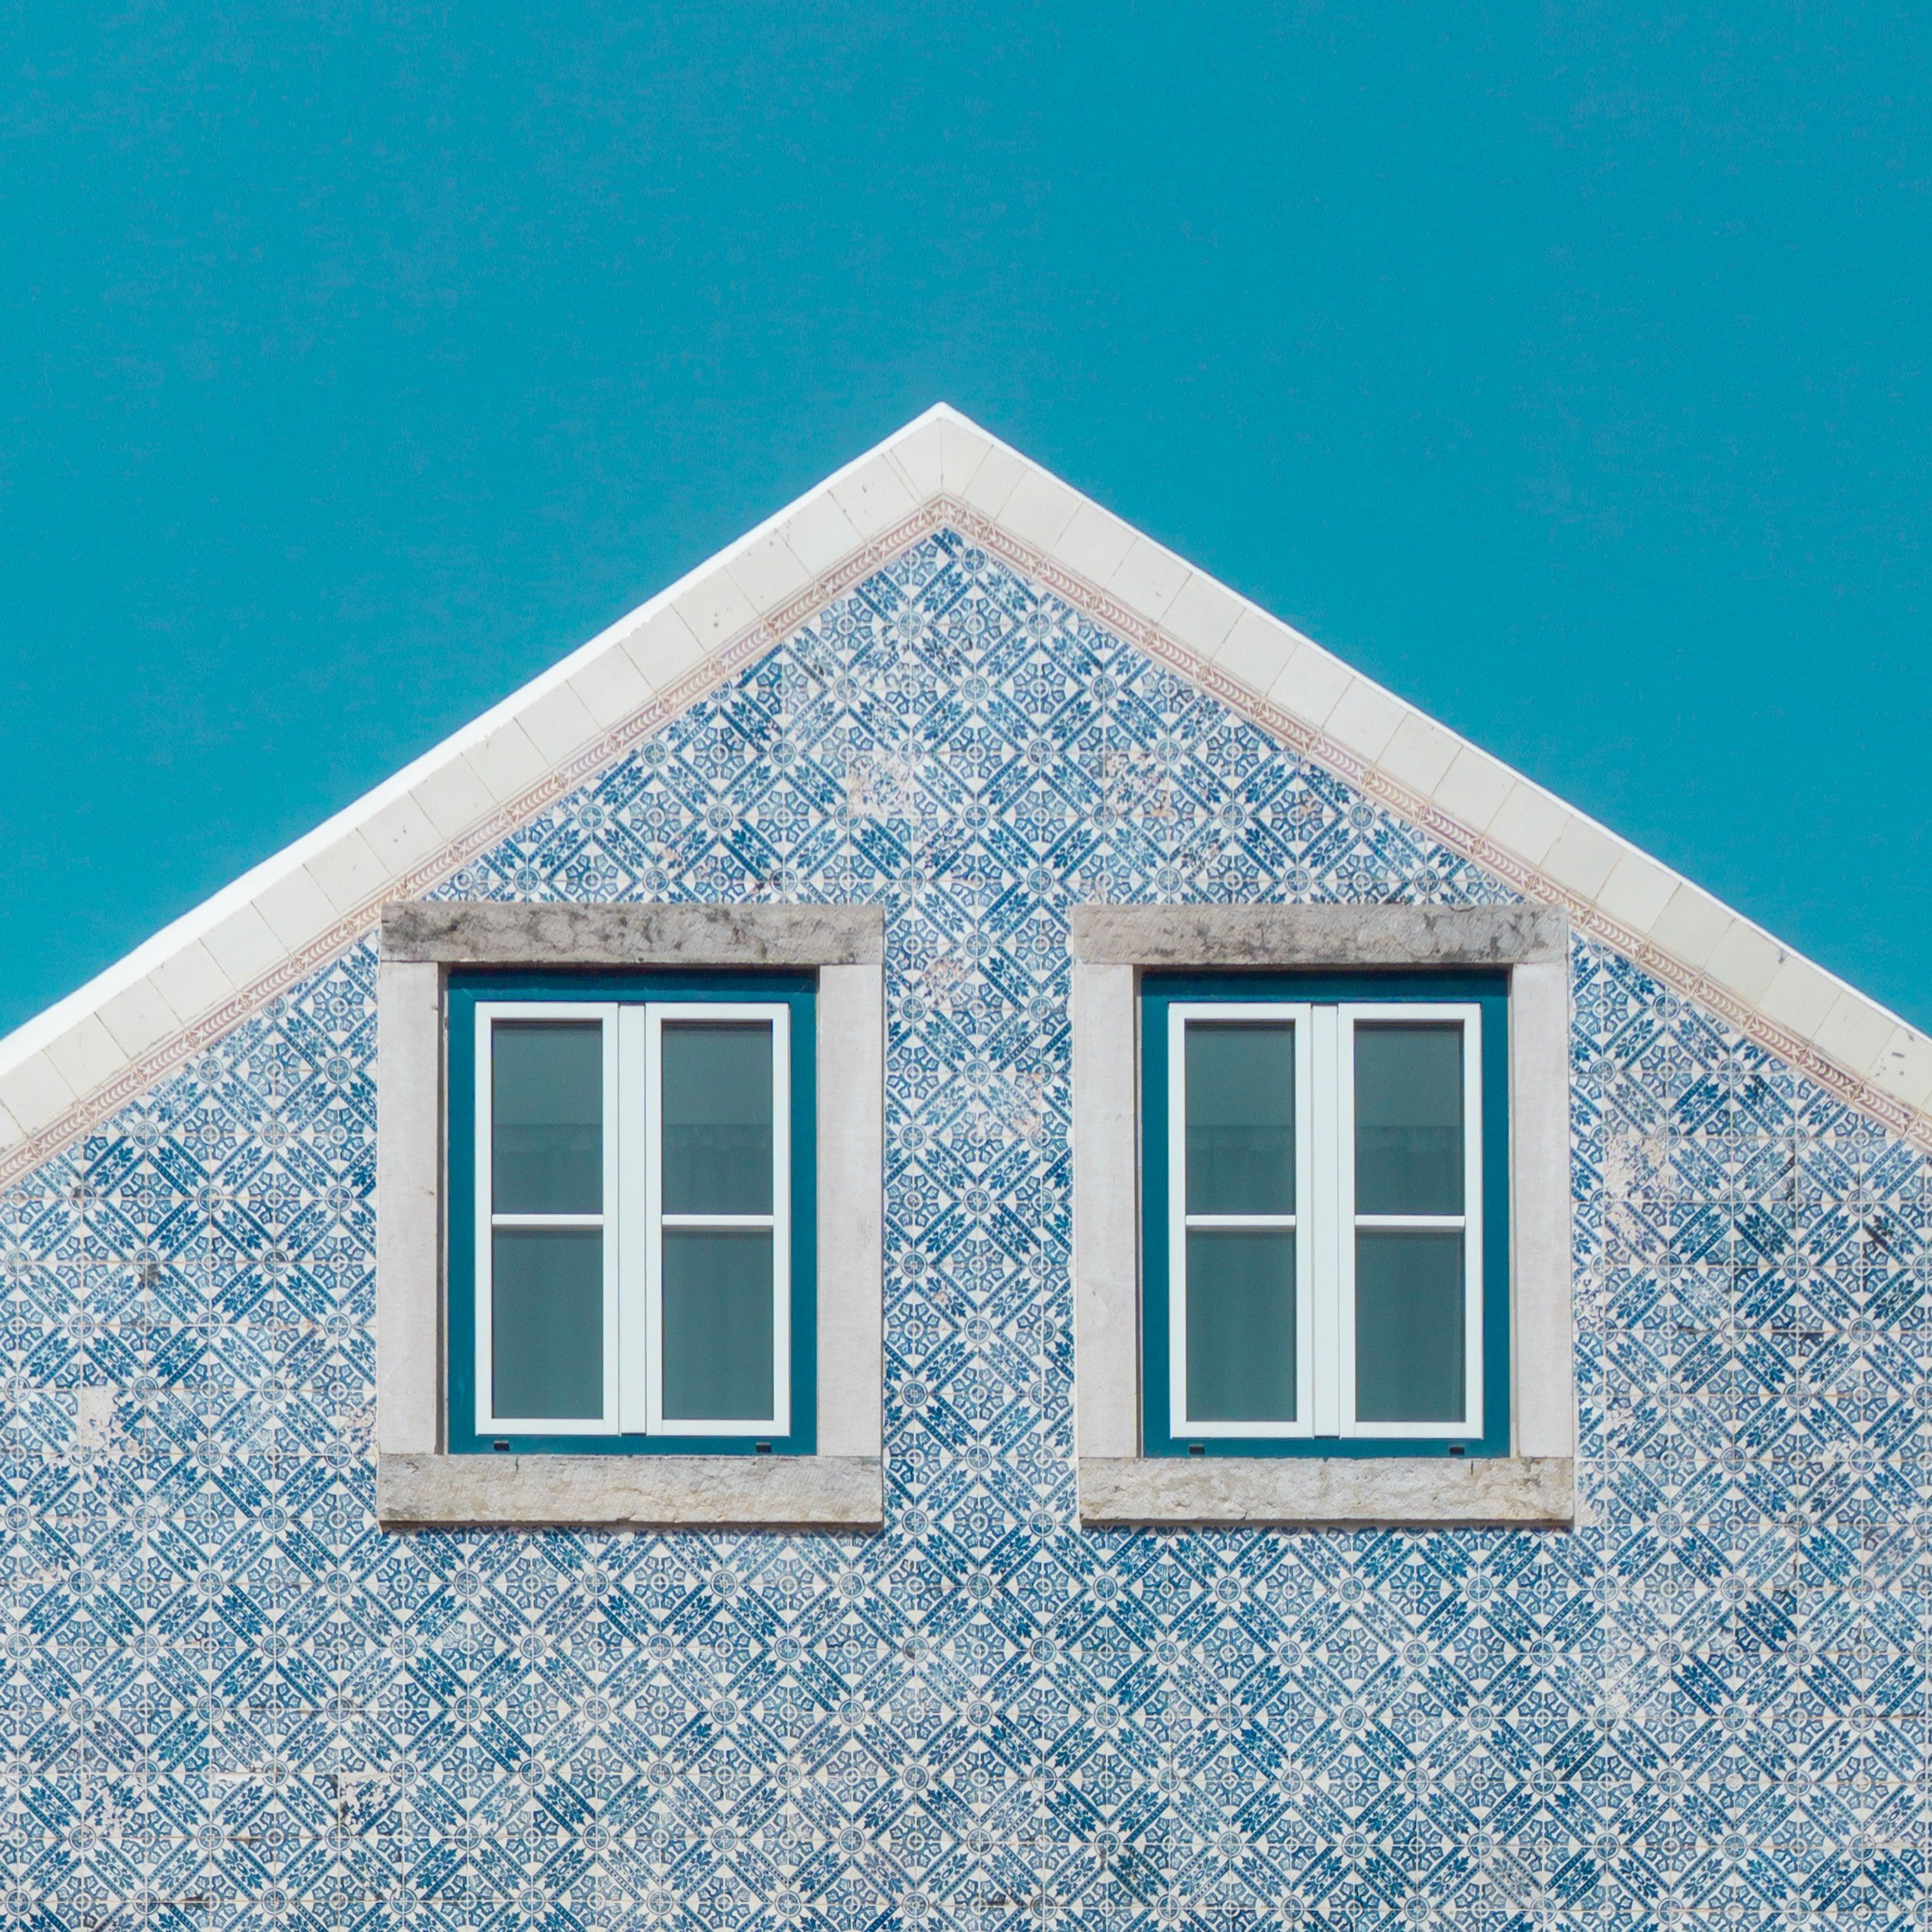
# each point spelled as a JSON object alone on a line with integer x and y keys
{"x": 718, "y": 1118}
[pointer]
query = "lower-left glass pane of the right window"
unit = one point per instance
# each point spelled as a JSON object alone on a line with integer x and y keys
{"x": 1241, "y": 1326}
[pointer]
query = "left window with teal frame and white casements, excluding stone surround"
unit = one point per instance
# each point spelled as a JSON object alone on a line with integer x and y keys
{"x": 635, "y": 1272}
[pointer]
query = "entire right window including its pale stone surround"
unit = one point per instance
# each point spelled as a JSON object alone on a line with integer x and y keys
{"x": 1321, "y": 1216}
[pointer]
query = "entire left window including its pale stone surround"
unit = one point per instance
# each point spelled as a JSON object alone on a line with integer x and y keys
{"x": 631, "y": 1216}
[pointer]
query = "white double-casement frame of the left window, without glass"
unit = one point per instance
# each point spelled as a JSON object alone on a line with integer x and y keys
{"x": 633, "y": 1218}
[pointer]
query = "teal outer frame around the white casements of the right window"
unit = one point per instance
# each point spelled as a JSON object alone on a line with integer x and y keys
{"x": 1160, "y": 992}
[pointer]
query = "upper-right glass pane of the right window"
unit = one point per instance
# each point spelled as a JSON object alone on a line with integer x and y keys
{"x": 1407, "y": 1120}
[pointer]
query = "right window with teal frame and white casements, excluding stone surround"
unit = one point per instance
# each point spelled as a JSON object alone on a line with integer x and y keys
{"x": 1319, "y": 1243}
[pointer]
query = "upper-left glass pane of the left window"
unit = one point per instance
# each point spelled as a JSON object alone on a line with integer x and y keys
{"x": 548, "y": 1118}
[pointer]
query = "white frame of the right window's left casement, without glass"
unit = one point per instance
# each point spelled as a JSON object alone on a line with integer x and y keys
{"x": 1179, "y": 1222}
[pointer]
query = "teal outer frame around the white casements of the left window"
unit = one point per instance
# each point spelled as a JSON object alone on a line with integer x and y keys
{"x": 469, "y": 990}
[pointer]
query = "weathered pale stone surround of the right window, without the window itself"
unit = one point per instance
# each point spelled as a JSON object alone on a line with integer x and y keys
{"x": 1535, "y": 1485}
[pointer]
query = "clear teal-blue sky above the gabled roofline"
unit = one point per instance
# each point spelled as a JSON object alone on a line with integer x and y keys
{"x": 1560, "y": 366}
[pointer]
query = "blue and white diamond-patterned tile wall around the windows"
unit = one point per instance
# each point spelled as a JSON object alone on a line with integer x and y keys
{"x": 231, "y": 1701}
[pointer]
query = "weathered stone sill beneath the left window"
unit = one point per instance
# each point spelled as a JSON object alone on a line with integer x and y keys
{"x": 623, "y": 1492}
